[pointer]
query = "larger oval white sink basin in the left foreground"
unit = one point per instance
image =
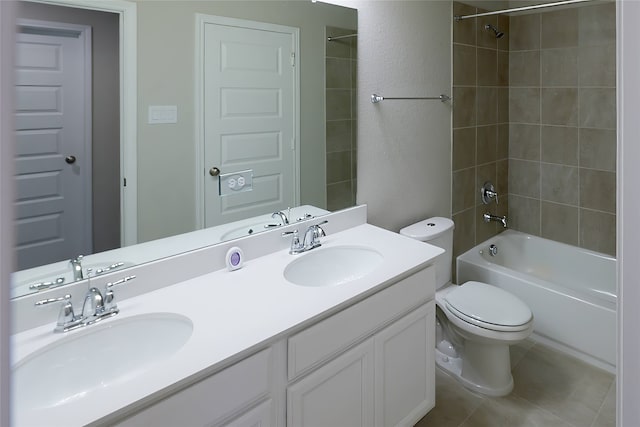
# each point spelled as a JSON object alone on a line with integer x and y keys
{"x": 97, "y": 357}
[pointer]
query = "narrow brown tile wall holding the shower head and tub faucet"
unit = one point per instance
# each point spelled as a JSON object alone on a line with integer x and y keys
{"x": 480, "y": 124}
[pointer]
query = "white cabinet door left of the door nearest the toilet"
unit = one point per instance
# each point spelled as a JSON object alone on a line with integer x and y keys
{"x": 337, "y": 394}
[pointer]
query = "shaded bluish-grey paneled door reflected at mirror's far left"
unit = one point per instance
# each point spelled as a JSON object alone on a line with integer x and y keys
{"x": 53, "y": 143}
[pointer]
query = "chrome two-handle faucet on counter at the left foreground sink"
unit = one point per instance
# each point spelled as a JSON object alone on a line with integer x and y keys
{"x": 96, "y": 306}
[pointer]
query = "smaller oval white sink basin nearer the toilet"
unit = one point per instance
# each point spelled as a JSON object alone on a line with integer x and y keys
{"x": 332, "y": 266}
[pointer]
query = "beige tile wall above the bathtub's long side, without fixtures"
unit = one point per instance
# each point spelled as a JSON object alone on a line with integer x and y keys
{"x": 562, "y": 130}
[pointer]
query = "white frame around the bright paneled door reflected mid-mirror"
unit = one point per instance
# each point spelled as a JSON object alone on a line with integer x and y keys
{"x": 200, "y": 169}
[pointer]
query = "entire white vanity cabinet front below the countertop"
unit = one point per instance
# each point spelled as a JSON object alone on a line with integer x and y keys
{"x": 370, "y": 364}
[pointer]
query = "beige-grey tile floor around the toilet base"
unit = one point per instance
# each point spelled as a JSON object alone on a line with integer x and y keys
{"x": 551, "y": 390}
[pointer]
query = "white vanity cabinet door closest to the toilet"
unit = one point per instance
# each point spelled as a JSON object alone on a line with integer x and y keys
{"x": 405, "y": 369}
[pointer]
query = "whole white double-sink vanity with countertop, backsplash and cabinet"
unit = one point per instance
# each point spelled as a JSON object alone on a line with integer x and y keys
{"x": 342, "y": 334}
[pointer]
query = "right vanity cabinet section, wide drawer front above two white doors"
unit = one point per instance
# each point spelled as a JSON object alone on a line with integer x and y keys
{"x": 385, "y": 377}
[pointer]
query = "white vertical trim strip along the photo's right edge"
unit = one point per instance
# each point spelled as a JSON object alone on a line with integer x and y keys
{"x": 628, "y": 228}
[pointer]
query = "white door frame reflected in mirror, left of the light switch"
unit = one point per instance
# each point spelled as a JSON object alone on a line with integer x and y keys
{"x": 127, "y": 12}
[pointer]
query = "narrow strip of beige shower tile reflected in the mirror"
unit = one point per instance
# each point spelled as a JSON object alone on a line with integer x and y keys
{"x": 341, "y": 119}
